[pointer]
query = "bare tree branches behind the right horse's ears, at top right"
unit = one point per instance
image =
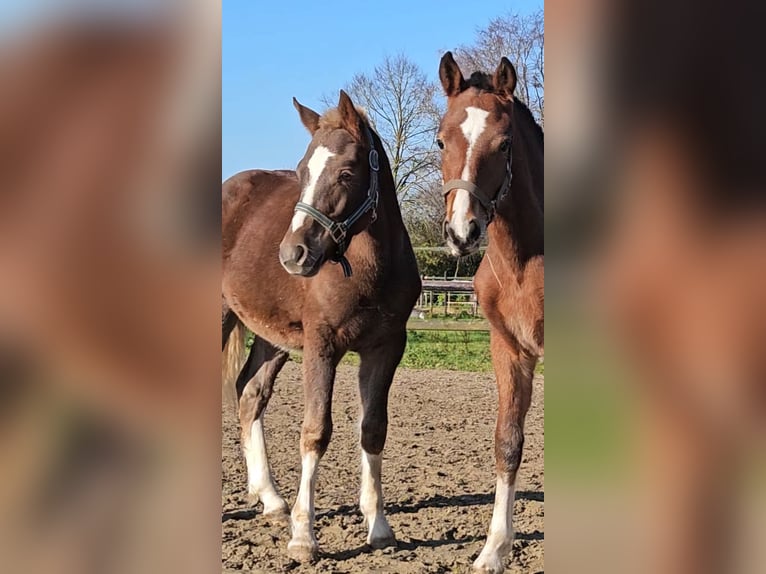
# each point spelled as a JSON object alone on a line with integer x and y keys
{"x": 522, "y": 40}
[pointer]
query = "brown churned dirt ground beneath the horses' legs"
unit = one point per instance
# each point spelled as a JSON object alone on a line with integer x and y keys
{"x": 438, "y": 479}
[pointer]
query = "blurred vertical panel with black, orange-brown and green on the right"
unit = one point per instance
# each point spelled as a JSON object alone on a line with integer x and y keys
{"x": 656, "y": 245}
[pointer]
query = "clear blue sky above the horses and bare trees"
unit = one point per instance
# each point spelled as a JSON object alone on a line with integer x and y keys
{"x": 275, "y": 50}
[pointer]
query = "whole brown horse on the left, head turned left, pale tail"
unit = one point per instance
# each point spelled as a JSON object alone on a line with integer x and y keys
{"x": 280, "y": 230}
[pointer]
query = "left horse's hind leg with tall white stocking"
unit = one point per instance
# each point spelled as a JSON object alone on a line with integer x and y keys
{"x": 254, "y": 387}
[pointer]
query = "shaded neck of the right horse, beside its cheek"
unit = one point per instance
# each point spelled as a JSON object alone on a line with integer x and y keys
{"x": 516, "y": 234}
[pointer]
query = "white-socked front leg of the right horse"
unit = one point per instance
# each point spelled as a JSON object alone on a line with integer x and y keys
{"x": 514, "y": 373}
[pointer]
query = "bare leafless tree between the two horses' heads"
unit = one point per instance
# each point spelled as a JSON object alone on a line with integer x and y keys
{"x": 401, "y": 103}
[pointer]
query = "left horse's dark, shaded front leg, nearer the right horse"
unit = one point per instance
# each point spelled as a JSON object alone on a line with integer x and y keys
{"x": 376, "y": 373}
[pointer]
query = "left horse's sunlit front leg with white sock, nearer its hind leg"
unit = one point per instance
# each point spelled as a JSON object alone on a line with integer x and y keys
{"x": 319, "y": 364}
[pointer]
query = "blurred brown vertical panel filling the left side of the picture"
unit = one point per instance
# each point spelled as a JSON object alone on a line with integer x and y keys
{"x": 109, "y": 286}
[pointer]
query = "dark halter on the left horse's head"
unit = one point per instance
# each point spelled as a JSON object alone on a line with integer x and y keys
{"x": 339, "y": 229}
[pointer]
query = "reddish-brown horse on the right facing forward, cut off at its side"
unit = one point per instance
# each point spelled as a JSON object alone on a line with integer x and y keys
{"x": 492, "y": 165}
